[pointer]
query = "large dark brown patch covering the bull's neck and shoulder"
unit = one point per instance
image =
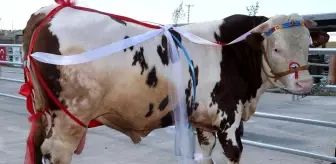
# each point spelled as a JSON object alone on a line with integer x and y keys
{"x": 240, "y": 76}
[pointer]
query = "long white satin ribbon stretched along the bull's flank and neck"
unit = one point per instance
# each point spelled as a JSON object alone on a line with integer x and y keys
{"x": 123, "y": 44}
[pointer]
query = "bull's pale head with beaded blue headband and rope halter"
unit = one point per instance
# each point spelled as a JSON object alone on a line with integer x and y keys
{"x": 286, "y": 42}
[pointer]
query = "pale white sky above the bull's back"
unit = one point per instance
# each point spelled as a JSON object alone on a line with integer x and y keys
{"x": 15, "y": 13}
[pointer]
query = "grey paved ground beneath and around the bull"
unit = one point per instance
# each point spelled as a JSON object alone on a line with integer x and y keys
{"x": 106, "y": 146}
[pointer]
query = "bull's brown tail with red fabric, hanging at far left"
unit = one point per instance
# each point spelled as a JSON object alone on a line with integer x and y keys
{"x": 38, "y": 121}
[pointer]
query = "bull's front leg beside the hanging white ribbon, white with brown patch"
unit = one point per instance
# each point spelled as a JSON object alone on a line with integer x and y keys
{"x": 207, "y": 142}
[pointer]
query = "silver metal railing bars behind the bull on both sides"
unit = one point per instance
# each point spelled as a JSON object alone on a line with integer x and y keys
{"x": 257, "y": 114}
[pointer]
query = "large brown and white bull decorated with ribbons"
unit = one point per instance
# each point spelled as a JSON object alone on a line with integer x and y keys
{"x": 128, "y": 91}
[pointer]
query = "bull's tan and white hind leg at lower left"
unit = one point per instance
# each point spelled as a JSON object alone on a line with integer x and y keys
{"x": 62, "y": 139}
